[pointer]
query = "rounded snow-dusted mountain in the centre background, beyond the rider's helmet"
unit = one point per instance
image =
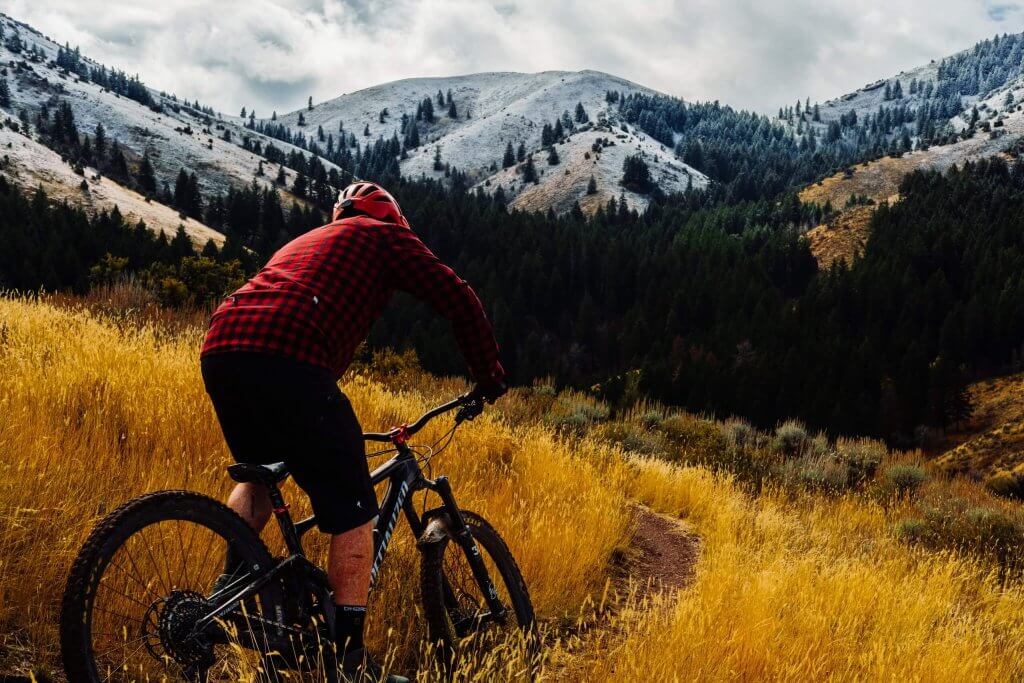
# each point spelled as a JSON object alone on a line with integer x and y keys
{"x": 494, "y": 110}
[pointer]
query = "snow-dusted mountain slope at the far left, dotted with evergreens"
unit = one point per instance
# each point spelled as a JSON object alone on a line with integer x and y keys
{"x": 178, "y": 137}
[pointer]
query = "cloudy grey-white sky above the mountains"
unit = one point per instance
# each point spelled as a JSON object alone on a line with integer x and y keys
{"x": 750, "y": 54}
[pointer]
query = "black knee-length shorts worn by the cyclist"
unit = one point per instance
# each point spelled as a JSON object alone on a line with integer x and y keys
{"x": 274, "y": 409}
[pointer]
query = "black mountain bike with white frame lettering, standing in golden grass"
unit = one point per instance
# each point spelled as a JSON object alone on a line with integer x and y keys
{"x": 144, "y": 601}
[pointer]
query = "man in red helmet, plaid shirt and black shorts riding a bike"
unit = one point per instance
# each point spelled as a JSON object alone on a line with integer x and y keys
{"x": 275, "y": 352}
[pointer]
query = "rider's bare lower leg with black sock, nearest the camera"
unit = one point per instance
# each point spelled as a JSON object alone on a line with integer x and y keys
{"x": 350, "y": 567}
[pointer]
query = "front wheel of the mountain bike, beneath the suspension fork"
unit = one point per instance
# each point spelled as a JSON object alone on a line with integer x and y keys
{"x": 457, "y": 614}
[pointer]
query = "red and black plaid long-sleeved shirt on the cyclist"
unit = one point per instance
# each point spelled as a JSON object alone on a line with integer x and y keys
{"x": 317, "y": 298}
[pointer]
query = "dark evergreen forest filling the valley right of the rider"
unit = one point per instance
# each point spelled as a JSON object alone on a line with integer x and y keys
{"x": 722, "y": 308}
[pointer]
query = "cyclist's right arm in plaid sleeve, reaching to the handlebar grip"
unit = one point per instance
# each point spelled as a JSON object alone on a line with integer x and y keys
{"x": 416, "y": 270}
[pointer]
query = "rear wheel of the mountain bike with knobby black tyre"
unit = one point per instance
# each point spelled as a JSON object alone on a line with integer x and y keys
{"x": 141, "y": 583}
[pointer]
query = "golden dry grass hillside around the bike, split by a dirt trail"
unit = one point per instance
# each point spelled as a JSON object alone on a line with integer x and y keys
{"x": 816, "y": 561}
